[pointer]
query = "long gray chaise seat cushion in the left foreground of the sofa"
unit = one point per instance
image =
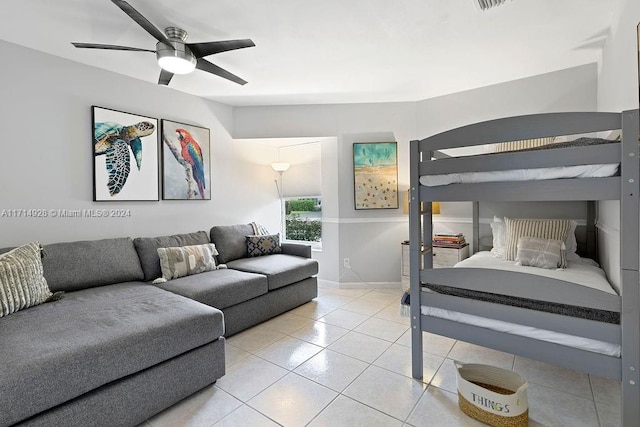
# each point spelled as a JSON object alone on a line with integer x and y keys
{"x": 57, "y": 351}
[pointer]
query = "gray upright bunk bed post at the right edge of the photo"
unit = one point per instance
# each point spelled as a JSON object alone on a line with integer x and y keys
{"x": 629, "y": 249}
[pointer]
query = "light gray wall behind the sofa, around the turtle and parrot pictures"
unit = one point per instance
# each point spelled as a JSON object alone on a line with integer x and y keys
{"x": 47, "y": 154}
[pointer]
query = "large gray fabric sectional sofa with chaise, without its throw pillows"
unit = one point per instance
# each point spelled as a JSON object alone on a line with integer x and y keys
{"x": 117, "y": 349}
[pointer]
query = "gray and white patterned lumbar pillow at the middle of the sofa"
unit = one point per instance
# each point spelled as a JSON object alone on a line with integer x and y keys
{"x": 186, "y": 260}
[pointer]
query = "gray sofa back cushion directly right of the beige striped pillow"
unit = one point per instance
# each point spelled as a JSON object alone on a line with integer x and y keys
{"x": 73, "y": 266}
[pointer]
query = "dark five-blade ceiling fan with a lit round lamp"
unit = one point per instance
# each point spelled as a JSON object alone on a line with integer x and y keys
{"x": 173, "y": 54}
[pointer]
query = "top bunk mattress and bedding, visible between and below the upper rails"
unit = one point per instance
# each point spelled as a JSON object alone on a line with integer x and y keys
{"x": 532, "y": 174}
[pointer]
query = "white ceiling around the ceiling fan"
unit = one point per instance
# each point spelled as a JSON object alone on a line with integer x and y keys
{"x": 329, "y": 51}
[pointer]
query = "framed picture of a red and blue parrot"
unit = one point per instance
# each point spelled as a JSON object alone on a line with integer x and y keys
{"x": 186, "y": 162}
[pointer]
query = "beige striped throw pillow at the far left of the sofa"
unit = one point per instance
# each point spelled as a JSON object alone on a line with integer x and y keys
{"x": 22, "y": 283}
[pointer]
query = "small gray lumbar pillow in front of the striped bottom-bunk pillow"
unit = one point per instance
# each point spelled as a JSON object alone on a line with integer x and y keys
{"x": 541, "y": 253}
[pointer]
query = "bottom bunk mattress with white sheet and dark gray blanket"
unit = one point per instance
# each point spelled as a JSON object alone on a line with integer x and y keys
{"x": 582, "y": 271}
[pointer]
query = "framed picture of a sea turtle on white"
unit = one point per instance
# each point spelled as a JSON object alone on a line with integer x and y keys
{"x": 125, "y": 156}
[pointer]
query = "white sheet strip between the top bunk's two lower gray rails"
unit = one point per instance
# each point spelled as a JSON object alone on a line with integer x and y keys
{"x": 536, "y": 174}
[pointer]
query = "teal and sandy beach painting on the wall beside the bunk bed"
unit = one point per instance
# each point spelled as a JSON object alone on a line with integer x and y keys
{"x": 375, "y": 170}
